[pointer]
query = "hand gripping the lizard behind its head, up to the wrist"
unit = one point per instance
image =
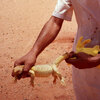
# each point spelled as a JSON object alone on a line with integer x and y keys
{"x": 28, "y": 61}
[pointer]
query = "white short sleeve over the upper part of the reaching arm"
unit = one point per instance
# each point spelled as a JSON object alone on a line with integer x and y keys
{"x": 63, "y": 10}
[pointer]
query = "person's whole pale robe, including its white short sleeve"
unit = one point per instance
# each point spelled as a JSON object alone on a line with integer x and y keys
{"x": 86, "y": 82}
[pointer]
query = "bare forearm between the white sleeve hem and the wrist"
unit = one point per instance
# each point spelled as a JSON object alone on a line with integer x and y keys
{"x": 47, "y": 35}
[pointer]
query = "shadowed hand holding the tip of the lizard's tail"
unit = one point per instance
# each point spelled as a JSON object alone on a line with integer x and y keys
{"x": 82, "y": 60}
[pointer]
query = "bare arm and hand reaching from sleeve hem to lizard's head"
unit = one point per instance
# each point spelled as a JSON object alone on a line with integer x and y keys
{"x": 46, "y": 36}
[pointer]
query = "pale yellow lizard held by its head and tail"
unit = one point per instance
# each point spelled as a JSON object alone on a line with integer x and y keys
{"x": 43, "y": 70}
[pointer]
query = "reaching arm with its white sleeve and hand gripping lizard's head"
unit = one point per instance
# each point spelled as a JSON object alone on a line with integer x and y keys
{"x": 63, "y": 11}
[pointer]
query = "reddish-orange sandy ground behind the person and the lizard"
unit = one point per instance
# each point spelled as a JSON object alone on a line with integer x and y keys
{"x": 20, "y": 24}
